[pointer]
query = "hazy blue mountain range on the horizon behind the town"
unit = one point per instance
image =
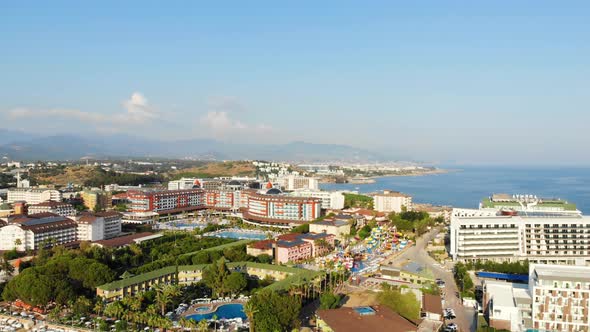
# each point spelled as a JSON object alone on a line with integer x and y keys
{"x": 18, "y": 145}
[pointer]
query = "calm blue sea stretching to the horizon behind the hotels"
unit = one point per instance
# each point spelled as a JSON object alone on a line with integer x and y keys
{"x": 464, "y": 187}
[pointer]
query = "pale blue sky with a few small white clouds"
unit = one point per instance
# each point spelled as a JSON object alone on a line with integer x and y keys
{"x": 466, "y": 82}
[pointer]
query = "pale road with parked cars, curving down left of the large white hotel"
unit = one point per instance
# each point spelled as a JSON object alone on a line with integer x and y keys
{"x": 466, "y": 317}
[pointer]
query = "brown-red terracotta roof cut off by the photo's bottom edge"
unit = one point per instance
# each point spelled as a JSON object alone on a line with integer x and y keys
{"x": 348, "y": 320}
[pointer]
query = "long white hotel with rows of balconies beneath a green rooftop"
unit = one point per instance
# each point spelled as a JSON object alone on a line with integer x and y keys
{"x": 487, "y": 234}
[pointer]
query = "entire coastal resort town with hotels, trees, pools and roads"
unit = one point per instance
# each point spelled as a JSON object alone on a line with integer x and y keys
{"x": 258, "y": 246}
